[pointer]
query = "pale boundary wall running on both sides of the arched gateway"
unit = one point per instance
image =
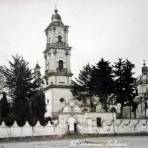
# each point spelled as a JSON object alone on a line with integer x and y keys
{"x": 117, "y": 126}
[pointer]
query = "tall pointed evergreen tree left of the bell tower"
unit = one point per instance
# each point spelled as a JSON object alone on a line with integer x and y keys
{"x": 19, "y": 80}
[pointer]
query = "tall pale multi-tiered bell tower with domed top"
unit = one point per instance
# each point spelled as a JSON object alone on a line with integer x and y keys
{"x": 57, "y": 65}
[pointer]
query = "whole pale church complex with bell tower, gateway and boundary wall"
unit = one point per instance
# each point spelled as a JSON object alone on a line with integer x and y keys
{"x": 68, "y": 116}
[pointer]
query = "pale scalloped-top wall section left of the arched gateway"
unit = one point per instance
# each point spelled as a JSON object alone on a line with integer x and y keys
{"x": 28, "y": 131}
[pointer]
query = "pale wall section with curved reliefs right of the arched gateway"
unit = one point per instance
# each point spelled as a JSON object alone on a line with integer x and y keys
{"x": 119, "y": 126}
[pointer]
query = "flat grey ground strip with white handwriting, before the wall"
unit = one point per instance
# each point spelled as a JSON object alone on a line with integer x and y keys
{"x": 99, "y": 142}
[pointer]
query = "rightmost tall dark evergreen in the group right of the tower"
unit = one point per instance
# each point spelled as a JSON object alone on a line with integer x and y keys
{"x": 124, "y": 83}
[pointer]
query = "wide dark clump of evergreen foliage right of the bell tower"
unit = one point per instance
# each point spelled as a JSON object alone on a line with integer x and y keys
{"x": 103, "y": 79}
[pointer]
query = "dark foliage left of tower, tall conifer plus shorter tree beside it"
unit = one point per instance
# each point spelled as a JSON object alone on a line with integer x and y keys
{"x": 23, "y": 89}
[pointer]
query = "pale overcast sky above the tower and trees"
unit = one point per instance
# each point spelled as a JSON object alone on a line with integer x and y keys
{"x": 110, "y": 29}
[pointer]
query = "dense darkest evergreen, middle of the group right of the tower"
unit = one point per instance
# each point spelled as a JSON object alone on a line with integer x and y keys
{"x": 103, "y": 80}
